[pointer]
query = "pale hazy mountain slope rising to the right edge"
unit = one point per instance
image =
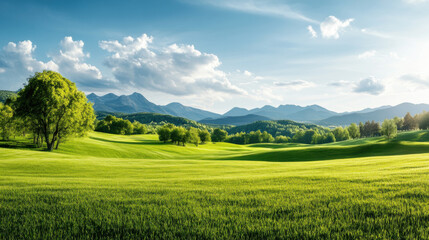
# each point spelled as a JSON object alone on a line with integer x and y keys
{"x": 376, "y": 115}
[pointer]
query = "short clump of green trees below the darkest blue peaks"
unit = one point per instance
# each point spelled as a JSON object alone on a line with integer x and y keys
{"x": 112, "y": 124}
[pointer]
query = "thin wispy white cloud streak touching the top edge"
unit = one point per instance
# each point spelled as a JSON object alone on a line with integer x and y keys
{"x": 267, "y": 7}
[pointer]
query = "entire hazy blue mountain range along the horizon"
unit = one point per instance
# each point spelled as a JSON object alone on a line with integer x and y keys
{"x": 136, "y": 103}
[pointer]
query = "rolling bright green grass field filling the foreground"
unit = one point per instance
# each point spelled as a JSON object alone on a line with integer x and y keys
{"x": 133, "y": 187}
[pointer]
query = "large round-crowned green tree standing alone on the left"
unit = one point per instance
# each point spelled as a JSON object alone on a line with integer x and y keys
{"x": 55, "y": 105}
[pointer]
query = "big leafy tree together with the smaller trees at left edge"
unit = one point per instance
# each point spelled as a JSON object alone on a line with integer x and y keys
{"x": 50, "y": 107}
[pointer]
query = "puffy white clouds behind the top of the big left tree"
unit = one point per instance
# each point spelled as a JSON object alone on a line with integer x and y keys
{"x": 17, "y": 63}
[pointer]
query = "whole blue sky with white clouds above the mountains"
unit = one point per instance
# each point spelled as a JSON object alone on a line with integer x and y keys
{"x": 218, "y": 54}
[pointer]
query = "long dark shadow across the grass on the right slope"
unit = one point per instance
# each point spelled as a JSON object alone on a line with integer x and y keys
{"x": 334, "y": 152}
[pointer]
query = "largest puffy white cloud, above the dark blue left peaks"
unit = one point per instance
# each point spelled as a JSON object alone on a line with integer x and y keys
{"x": 175, "y": 69}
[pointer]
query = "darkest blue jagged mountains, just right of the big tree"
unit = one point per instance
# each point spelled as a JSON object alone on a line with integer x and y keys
{"x": 136, "y": 103}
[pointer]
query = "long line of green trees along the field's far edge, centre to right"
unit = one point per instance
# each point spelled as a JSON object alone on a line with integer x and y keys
{"x": 314, "y": 135}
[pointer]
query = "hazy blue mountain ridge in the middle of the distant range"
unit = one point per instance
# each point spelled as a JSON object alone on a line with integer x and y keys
{"x": 291, "y": 112}
